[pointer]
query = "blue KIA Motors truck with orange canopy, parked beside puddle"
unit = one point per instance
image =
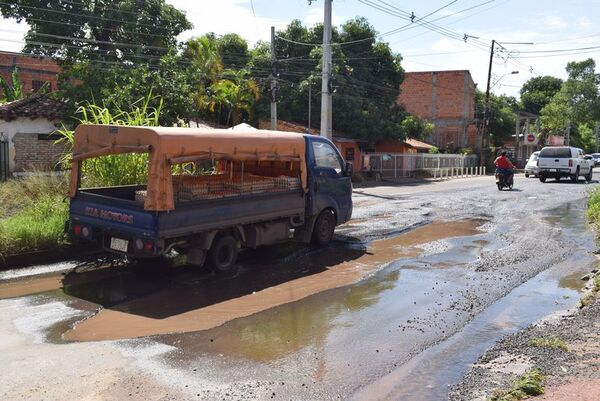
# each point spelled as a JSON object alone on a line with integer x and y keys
{"x": 209, "y": 193}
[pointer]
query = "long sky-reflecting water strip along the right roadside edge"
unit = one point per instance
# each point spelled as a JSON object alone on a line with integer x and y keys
{"x": 428, "y": 376}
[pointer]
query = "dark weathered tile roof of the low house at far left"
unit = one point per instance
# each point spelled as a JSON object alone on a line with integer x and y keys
{"x": 40, "y": 106}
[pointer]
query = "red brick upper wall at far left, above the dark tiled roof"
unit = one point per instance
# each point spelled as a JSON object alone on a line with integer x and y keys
{"x": 30, "y": 69}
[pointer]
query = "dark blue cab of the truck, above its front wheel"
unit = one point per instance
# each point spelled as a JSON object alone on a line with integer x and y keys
{"x": 329, "y": 185}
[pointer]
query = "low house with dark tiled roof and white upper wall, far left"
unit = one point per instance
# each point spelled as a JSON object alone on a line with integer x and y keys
{"x": 28, "y": 129}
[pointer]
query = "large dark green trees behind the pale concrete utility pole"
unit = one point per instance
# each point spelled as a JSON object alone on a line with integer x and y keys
{"x": 367, "y": 78}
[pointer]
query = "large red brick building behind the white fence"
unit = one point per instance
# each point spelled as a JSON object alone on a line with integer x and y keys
{"x": 447, "y": 99}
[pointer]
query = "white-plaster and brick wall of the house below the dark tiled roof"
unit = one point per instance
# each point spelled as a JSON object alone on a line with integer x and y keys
{"x": 26, "y": 151}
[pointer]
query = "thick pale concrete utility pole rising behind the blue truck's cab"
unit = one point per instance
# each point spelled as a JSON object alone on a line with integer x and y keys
{"x": 326, "y": 102}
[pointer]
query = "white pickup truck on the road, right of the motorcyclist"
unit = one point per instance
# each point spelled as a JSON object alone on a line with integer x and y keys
{"x": 563, "y": 161}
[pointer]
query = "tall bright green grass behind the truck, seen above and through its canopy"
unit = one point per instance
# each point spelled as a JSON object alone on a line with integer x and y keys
{"x": 113, "y": 170}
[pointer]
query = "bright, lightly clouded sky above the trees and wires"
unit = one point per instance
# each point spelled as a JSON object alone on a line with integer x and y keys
{"x": 549, "y": 25}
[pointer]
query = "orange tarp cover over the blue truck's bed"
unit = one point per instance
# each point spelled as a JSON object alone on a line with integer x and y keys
{"x": 169, "y": 145}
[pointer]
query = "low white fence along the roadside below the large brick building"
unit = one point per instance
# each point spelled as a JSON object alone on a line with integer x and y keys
{"x": 396, "y": 165}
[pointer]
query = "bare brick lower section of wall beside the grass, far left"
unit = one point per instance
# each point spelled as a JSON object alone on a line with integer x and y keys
{"x": 32, "y": 153}
